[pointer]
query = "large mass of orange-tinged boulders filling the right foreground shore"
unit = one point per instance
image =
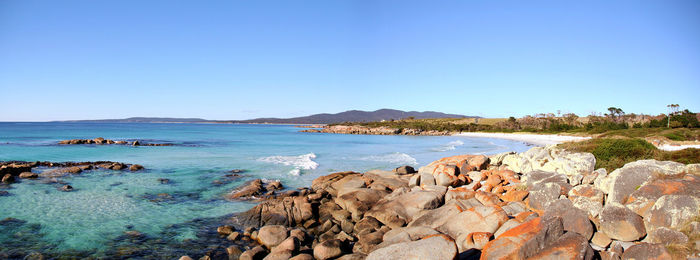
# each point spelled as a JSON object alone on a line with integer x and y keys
{"x": 545, "y": 203}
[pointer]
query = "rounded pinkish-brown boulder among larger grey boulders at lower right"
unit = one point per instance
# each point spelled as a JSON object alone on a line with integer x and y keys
{"x": 621, "y": 223}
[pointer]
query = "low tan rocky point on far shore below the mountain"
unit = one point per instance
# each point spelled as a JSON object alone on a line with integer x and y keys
{"x": 363, "y": 130}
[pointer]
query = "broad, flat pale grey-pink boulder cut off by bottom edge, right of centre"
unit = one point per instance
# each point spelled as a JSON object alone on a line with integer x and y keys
{"x": 431, "y": 247}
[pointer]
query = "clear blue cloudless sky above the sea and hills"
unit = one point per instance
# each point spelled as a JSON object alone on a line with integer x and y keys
{"x": 246, "y": 59}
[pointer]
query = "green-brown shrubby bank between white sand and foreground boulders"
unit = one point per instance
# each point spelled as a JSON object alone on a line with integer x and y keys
{"x": 613, "y": 153}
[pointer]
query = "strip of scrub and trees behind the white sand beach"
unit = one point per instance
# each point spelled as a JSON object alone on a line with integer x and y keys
{"x": 681, "y": 126}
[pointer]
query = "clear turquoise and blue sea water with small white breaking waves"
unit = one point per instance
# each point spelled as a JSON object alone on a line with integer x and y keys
{"x": 91, "y": 220}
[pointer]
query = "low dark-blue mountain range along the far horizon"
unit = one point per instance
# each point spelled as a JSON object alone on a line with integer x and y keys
{"x": 347, "y": 116}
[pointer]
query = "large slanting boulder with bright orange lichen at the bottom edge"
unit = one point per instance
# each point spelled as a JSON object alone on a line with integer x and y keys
{"x": 525, "y": 240}
